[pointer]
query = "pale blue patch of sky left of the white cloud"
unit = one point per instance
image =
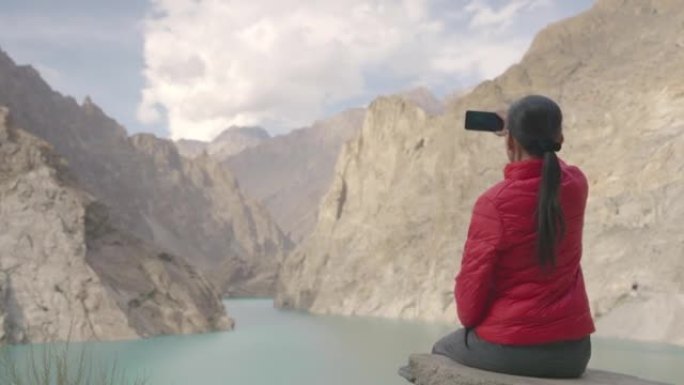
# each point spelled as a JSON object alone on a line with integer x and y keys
{"x": 82, "y": 47}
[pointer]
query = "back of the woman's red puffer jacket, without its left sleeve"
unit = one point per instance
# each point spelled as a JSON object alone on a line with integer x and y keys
{"x": 531, "y": 304}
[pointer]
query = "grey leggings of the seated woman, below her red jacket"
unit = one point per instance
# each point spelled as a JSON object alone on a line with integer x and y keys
{"x": 555, "y": 360}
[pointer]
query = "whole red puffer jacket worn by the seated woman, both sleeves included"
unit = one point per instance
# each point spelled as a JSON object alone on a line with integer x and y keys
{"x": 501, "y": 290}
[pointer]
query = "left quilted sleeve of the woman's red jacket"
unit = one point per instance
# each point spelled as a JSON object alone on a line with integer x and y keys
{"x": 476, "y": 278}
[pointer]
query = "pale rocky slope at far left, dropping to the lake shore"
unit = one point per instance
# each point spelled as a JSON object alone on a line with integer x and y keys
{"x": 66, "y": 273}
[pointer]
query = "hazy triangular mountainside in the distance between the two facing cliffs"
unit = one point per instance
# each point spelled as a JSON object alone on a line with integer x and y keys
{"x": 290, "y": 174}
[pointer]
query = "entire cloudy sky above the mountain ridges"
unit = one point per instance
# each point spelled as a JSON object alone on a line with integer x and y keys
{"x": 191, "y": 68}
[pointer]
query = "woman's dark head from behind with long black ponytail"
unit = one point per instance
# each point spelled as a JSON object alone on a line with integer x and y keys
{"x": 535, "y": 122}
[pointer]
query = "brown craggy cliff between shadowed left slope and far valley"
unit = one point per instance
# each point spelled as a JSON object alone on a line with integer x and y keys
{"x": 199, "y": 212}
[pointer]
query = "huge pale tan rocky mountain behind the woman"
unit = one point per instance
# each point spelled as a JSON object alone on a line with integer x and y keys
{"x": 391, "y": 228}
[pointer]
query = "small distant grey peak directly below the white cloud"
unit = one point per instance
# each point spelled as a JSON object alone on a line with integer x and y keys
{"x": 230, "y": 142}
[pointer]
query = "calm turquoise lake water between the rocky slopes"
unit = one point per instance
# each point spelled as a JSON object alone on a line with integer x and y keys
{"x": 273, "y": 347}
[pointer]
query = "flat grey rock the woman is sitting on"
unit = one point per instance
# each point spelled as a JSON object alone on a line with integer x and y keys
{"x": 427, "y": 369}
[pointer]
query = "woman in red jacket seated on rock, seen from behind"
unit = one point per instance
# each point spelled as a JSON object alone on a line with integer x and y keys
{"x": 520, "y": 293}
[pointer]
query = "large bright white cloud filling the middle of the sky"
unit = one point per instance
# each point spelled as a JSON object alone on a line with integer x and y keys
{"x": 282, "y": 63}
